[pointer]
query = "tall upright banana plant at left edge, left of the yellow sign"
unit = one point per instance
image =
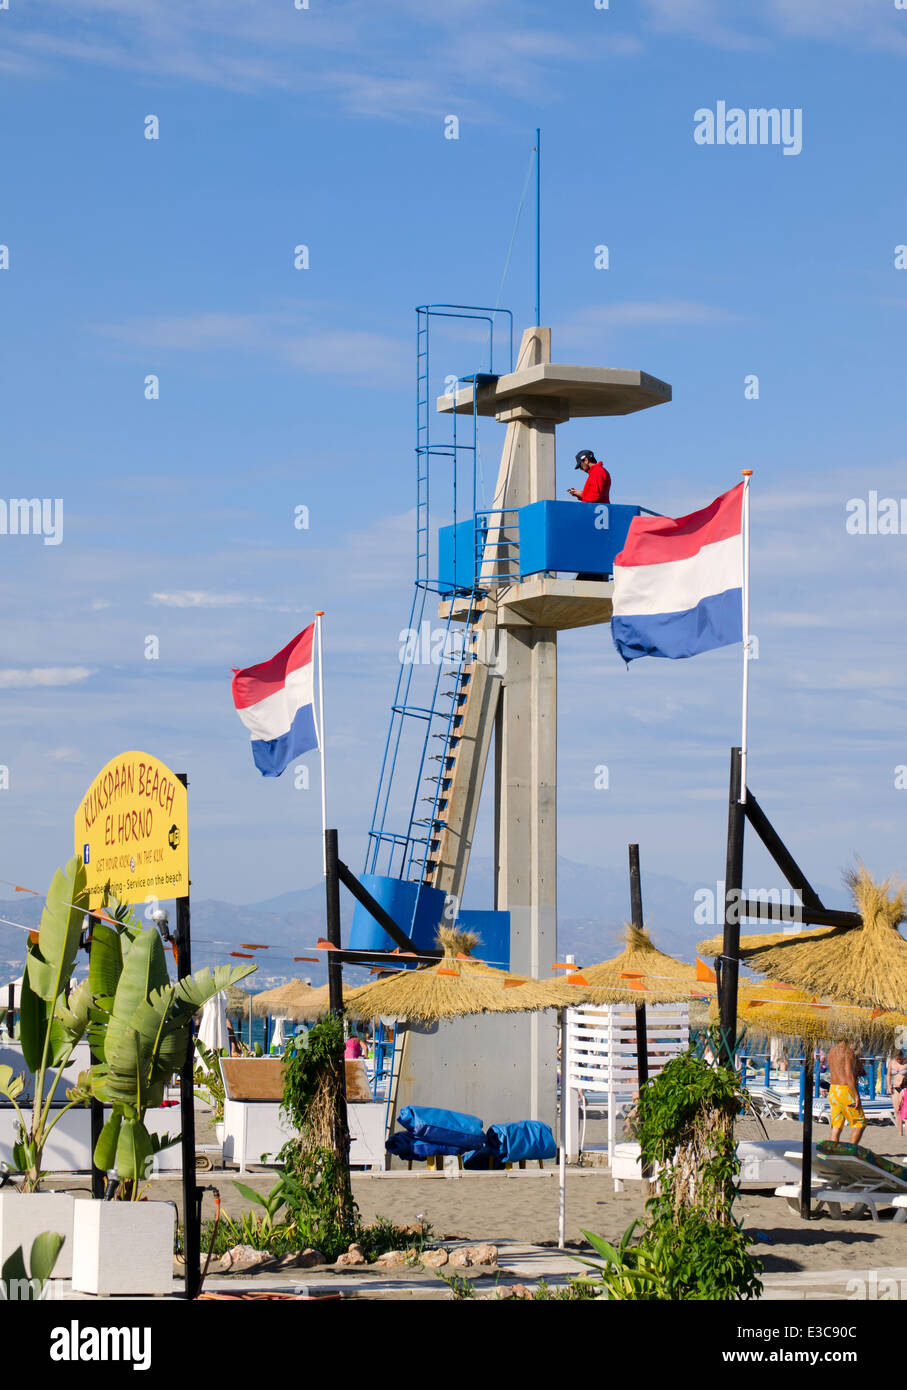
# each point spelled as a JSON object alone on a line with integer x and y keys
{"x": 49, "y": 1025}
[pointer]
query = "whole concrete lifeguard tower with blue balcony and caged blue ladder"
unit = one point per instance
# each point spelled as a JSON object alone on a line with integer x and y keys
{"x": 505, "y": 584}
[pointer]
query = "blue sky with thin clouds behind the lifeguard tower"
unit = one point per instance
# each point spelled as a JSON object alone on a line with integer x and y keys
{"x": 281, "y": 389}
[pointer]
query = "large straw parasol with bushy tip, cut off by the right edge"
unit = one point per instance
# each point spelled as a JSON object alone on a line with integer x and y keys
{"x": 865, "y": 965}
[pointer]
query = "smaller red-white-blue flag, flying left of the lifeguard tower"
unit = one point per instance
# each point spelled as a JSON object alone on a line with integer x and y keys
{"x": 277, "y": 704}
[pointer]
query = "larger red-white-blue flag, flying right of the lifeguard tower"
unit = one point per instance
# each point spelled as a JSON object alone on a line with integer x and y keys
{"x": 679, "y": 584}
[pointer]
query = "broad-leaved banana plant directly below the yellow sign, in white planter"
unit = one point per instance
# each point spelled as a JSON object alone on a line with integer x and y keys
{"x": 141, "y": 1032}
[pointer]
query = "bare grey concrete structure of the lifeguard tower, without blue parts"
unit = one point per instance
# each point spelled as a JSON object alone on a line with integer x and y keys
{"x": 504, "y": 1068}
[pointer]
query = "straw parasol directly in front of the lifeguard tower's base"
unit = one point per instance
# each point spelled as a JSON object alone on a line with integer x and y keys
{"x": 453, "y": 988}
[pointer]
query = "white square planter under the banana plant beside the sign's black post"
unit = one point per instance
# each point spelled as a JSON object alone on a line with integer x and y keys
{"x": 123, "y": 1248}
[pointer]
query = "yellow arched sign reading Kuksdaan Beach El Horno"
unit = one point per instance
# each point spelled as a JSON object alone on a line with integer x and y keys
{"x": 133, "y": 832}
